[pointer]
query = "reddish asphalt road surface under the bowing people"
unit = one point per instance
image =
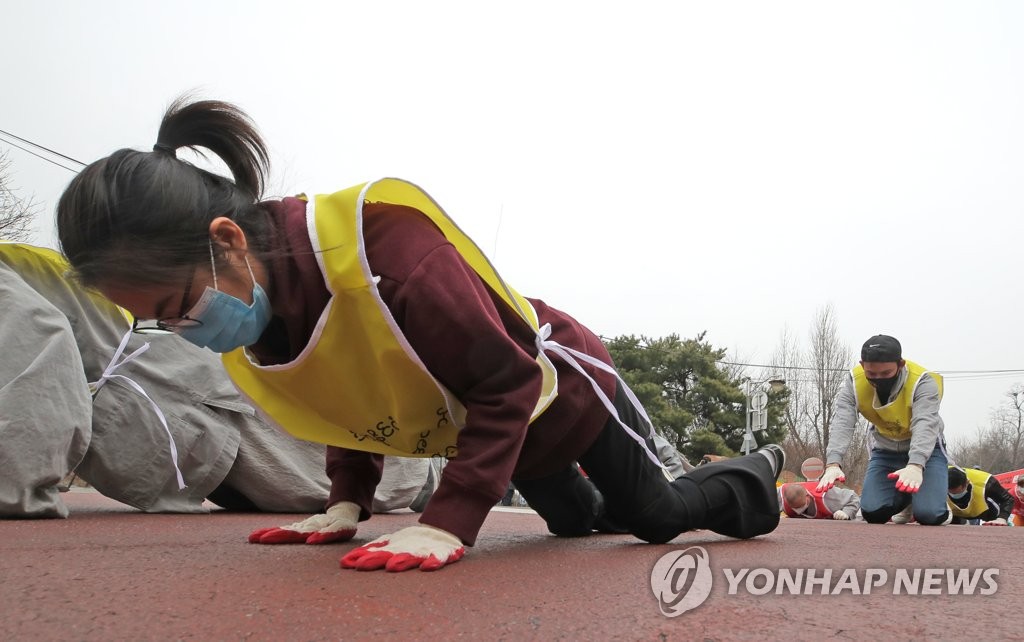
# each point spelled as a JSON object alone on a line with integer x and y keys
{"x": 112, "y": 574}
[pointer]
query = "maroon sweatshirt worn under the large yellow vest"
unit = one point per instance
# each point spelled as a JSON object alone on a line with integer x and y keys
{"x": 468, "y": 339}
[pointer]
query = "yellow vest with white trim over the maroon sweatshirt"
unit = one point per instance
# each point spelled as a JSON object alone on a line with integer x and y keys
{"x": 358, "y": 383}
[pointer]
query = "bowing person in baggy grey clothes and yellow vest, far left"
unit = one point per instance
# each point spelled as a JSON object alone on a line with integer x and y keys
{"x": 58, "y": 339}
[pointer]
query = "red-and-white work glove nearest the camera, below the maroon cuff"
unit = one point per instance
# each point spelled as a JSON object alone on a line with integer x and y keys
{"x": 425, "y": 548}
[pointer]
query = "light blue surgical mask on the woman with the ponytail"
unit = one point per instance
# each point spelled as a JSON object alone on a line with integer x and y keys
{"x": 228, "y": 323}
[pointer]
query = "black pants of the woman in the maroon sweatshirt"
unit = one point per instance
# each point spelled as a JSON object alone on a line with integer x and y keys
{"x": 735, "y": 498}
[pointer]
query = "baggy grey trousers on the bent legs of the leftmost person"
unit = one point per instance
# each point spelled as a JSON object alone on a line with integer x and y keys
{"x": 220, "y": 440}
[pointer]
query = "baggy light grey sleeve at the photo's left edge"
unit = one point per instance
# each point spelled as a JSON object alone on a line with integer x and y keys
{"x": 46, "y": 407}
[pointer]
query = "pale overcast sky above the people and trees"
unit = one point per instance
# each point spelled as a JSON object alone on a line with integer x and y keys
{"x": 650, "y": 167}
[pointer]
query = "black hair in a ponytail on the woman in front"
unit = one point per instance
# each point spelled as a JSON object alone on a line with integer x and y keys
{"x": 144, "y": 218}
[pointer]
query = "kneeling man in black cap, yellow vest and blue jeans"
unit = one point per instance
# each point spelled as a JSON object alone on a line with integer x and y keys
{"x": 908, "y": 465}
